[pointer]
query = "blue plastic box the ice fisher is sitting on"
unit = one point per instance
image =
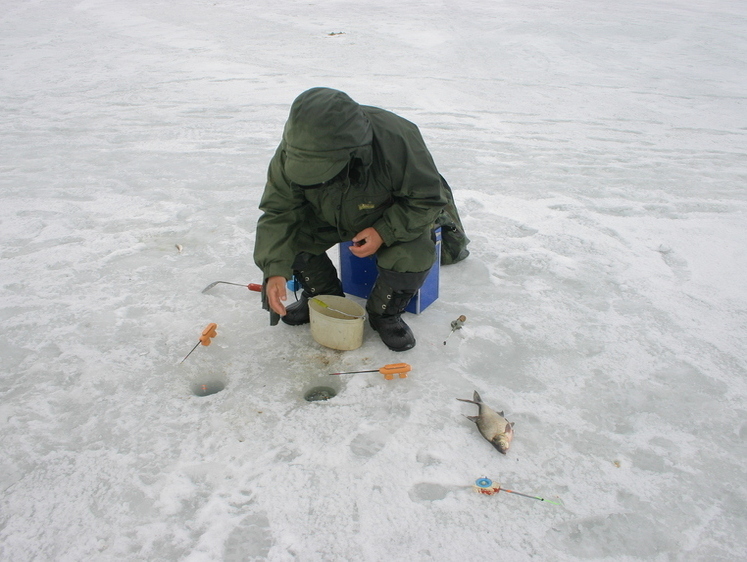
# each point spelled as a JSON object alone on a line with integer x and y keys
{"x": 358, "y": 276}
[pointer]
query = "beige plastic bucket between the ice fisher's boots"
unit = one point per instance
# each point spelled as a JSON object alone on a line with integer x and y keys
{"x": 335, "y": 330}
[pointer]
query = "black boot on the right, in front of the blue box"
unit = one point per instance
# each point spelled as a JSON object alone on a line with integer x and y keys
{"x": 390, "y": 295}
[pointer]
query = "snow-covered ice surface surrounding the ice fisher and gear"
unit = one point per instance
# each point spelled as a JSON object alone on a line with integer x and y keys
{"x": 598, "y": 153}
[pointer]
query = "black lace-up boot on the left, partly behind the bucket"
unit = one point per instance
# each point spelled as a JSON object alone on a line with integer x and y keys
{"x": 318, "y": 276}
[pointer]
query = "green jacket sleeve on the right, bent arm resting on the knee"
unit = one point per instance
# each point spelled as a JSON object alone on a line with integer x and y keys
{"x": 416, "y": 184}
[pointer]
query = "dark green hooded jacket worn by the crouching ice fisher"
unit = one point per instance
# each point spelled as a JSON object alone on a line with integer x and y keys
{"x": 391, "y": 183}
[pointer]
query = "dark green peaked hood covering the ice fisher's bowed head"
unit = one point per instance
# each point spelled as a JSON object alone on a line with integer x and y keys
{"x": 325, "y": 129}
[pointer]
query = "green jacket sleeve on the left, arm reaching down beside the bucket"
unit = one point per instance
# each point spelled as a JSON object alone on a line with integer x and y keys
{"x": 283, "y": 210}
